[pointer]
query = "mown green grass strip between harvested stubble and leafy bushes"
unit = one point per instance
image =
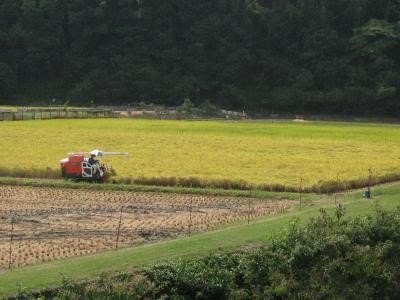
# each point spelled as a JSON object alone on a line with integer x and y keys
{"x": 260, "y": 230}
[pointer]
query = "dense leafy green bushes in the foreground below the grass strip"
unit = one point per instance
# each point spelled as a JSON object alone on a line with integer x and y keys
{"x": 333, "y": 257}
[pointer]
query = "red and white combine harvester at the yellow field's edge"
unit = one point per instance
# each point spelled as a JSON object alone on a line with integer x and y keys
{"x": 77, "y": 166}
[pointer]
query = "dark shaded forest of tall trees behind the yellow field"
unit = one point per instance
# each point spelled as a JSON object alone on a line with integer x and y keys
{"x": 297, "y": 56}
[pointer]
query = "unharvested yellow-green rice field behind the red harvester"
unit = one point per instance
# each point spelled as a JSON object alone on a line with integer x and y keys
{"x": 255, "y": 152}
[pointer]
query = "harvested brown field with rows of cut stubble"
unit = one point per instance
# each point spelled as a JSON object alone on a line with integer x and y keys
{"x": 42, "y": 224}
